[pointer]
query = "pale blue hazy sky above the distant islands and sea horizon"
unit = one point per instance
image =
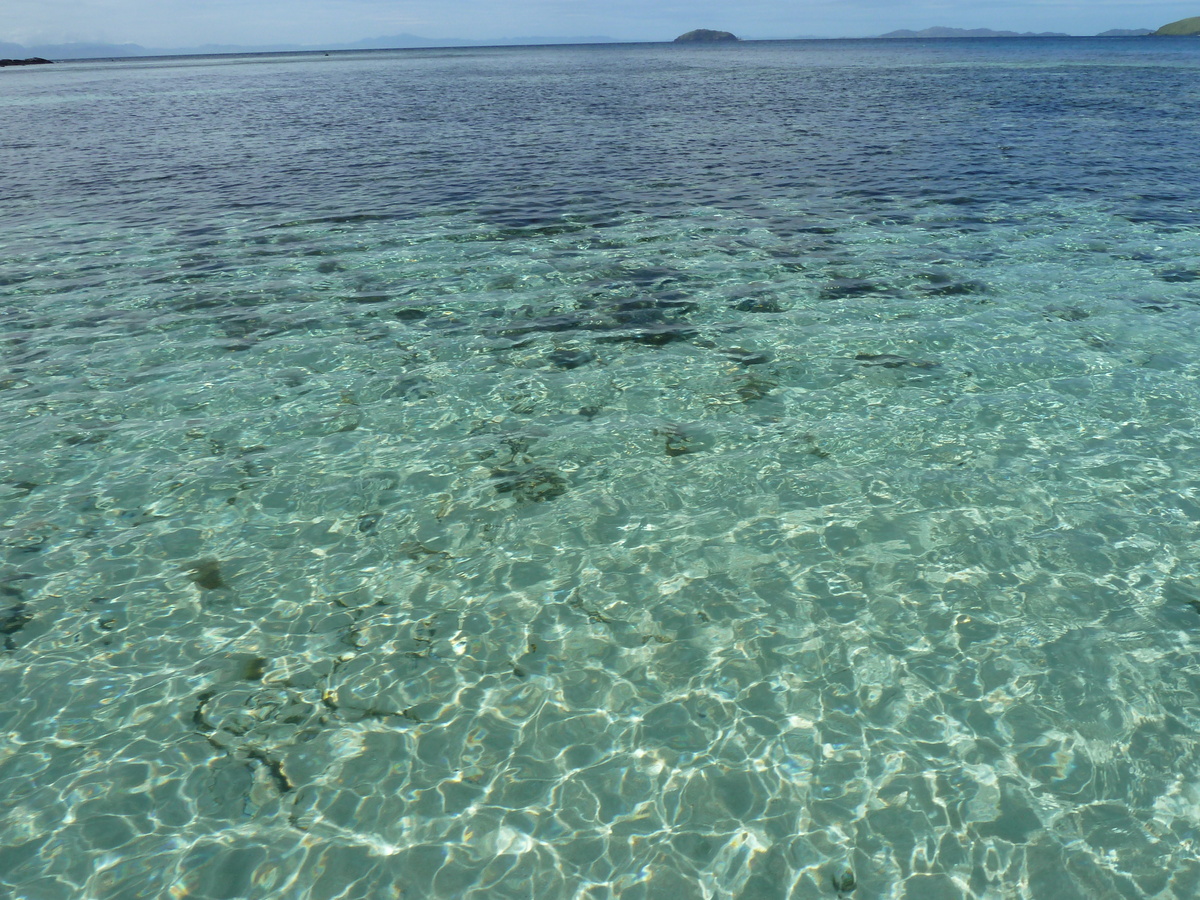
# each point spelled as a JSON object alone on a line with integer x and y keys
{"x": 190, "y": 23}
